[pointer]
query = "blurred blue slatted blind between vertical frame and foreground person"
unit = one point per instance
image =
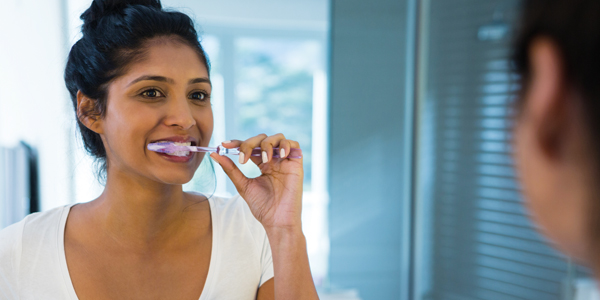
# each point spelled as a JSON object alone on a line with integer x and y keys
{"x": 481, "y": 243}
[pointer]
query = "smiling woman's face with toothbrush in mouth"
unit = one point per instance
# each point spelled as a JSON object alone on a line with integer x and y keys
{"x": 164, "y": 97}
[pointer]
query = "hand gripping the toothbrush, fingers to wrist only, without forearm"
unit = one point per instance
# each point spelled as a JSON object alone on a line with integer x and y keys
{"x": 275, "y": 197}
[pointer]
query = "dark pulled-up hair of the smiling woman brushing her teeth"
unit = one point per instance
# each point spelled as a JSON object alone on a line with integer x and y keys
{"x": 115, "y": 34}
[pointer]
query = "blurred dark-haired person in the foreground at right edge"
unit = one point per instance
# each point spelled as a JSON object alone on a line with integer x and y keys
{"x": 558, "y": 128}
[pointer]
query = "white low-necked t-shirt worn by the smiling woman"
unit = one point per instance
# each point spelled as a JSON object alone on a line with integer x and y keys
{"x": 33, "y": 264}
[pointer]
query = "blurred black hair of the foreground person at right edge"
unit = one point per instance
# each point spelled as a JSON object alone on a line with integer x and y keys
{"x": 574, "y": 27}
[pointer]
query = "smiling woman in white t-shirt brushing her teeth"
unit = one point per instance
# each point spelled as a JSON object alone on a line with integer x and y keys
{"x": 139, "y": 75}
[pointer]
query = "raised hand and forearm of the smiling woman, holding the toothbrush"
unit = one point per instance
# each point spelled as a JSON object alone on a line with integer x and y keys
{"x": 275, "y": 199}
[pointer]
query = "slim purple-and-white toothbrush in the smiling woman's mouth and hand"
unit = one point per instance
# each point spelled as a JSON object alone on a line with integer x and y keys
{"x": 170, "y": 147}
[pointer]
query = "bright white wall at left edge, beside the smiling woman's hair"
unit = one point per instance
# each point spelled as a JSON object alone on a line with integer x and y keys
{"x": 34, "y": 105}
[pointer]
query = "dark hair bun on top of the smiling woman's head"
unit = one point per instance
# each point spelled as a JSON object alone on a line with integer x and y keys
{"x": 102, "y": 8}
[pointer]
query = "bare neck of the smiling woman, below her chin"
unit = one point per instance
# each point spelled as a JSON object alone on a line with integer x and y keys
{"x": 139, "y": 213}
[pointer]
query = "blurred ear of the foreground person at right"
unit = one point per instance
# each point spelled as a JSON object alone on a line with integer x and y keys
{"x": 547, "y": 103}
